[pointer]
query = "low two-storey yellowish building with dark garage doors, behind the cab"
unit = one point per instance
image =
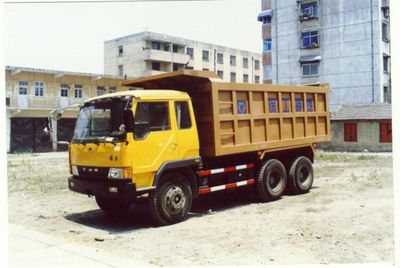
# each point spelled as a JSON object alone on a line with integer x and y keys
{"x": 32, "y": 93}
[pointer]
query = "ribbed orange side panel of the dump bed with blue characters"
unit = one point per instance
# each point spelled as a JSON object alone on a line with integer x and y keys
{"x": 251, "y": 117}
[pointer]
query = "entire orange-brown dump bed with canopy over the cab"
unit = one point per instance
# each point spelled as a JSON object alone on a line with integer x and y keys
{"x": 240, "y": 117}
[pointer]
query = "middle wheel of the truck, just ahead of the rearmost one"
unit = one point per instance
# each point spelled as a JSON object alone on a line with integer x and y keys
{"x": 271, "y": 180}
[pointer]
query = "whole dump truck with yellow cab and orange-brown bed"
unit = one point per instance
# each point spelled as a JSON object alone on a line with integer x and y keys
{"x": 184, "y": 134}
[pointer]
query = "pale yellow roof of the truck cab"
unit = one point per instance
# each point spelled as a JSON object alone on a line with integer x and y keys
{"x": 146, "y": 95}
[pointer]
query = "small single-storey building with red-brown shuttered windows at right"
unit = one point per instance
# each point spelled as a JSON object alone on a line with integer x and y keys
{"x": 361, "y": 127}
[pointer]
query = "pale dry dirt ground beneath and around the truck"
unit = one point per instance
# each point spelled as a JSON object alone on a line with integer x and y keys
{"x": 347, "y": 217}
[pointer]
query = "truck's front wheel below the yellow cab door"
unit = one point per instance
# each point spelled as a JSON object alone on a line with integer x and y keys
{"x": 171, "y": 201}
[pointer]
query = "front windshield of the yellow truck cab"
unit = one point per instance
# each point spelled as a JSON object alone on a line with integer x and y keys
{"x": 101, "y": 119}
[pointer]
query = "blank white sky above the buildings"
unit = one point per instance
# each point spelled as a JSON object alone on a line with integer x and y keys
{"x": 70, "y": 36}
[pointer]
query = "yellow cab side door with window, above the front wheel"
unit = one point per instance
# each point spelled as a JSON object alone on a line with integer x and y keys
{"x": 155, "y": 140}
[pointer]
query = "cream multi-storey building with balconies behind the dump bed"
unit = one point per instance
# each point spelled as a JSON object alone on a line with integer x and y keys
{"x": 147, "y": 53}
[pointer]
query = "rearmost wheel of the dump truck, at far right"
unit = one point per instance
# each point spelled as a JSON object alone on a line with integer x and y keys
{"x": 301, "y": 176}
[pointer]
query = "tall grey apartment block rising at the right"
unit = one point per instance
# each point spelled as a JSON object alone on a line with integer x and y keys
{"x": 345, "y": 43}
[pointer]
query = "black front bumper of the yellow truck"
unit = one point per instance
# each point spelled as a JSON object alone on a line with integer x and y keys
{"x": 121, "y": 189}
